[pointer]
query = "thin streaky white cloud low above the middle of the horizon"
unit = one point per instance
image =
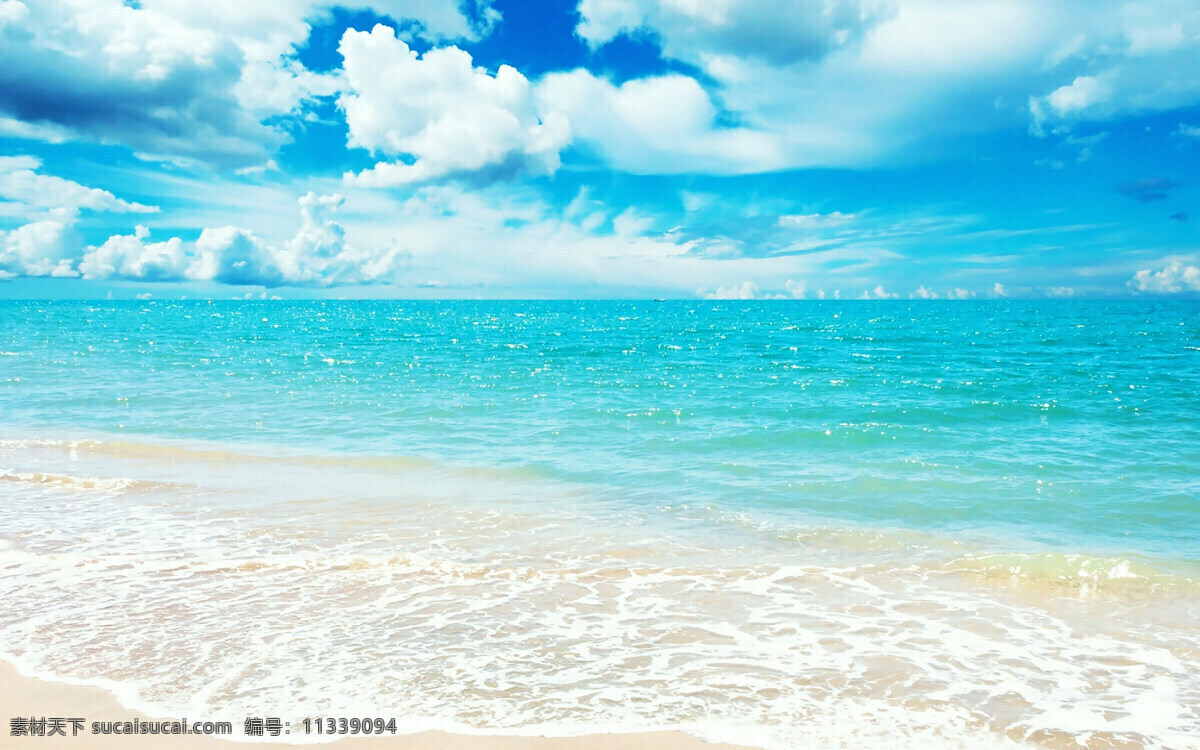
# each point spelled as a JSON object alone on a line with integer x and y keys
{"x": 506, "y": 241}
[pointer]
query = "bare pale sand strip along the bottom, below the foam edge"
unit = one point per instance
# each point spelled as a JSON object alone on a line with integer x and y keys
{"x": 23, "y": 697}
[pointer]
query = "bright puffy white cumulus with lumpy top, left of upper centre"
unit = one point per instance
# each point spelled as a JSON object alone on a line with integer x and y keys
{"x": 440, "y": 115}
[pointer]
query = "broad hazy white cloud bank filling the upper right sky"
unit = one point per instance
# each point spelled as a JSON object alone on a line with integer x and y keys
{"x": 844, "y": 83}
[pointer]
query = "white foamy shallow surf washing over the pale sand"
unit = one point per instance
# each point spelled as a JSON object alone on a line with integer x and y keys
{"x": 453, "y": 601}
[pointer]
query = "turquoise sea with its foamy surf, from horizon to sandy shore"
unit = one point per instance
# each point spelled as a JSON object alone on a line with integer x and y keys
{"x": 781, "y": 524}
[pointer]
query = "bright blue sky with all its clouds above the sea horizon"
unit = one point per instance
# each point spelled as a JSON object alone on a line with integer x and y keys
{"x": 601, "y": 148}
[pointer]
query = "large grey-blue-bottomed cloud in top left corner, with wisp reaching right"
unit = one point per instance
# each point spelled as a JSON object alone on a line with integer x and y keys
{"x": 179, "y": 80}
